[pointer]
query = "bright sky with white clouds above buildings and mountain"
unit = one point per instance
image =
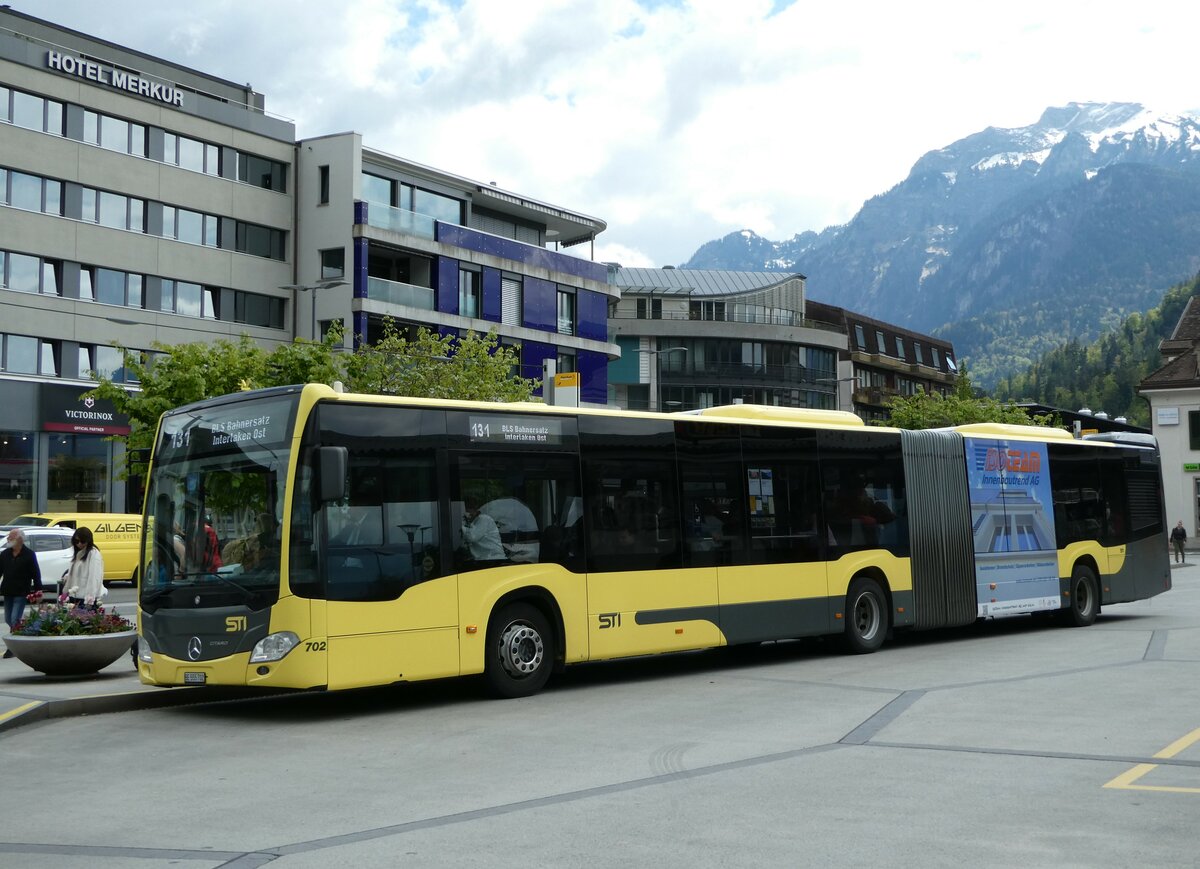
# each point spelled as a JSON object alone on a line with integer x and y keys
{"x": 676, "y": 122}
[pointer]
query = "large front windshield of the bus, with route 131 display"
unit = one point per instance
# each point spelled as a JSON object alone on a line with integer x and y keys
{"x": 215, "y": 502}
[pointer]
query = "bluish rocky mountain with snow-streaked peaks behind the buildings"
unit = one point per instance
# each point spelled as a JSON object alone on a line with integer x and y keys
{"x": 1012, "y": 242}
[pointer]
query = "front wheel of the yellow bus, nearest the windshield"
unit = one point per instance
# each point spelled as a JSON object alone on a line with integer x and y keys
{"x": 520, "y": 652}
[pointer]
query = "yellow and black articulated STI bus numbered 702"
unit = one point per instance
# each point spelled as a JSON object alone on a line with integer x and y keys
{"x": 305, "y": 538}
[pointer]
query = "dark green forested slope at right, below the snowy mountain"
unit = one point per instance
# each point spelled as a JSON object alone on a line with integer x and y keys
{"x": 1103, "y": 376}
